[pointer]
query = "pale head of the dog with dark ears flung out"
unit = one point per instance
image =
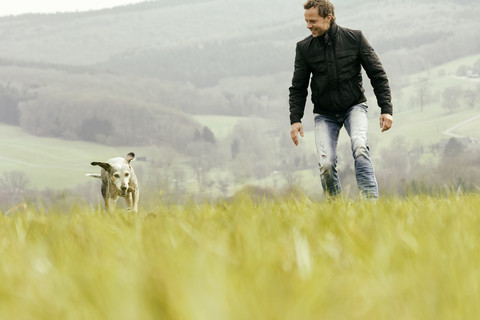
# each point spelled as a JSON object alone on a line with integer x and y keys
{"x": 119, "y": 172}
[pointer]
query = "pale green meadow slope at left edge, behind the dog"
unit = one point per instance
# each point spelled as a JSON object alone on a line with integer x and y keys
{"x": 55, "y": 163}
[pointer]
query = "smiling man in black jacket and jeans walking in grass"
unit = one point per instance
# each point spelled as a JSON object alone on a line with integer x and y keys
{"x": 333, "y": 57}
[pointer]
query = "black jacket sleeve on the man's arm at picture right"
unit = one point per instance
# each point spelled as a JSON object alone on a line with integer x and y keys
{"x": 378, "y": 77}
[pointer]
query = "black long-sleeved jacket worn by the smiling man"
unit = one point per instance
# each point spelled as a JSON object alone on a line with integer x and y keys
{"x": 335, "y": 62}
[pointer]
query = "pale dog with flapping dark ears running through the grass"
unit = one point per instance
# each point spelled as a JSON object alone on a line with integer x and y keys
{"x": 118, "y": 179}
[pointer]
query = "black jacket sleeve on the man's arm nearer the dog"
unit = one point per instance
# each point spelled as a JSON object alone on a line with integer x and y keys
{"x": 299, "y": 88}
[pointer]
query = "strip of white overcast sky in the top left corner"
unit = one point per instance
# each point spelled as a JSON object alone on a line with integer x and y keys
{"x": 15, "y": 7}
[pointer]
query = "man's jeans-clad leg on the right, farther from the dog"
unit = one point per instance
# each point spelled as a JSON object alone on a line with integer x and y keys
{"x": 356, "y": 124}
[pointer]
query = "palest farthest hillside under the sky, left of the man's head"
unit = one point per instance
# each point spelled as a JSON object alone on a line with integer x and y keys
{"x": 93, "y": 37}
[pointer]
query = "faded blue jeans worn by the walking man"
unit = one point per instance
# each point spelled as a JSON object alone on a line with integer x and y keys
{"x": 327, "y": 129}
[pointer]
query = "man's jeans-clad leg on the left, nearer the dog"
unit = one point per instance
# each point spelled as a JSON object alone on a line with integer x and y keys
{"x": 326, "y": 137}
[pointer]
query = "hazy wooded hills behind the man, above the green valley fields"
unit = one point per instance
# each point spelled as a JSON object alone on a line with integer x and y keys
{"x": 134, "y": 74}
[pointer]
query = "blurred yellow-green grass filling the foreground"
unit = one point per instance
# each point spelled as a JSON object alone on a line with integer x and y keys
{"x": 416, "y": 258}
